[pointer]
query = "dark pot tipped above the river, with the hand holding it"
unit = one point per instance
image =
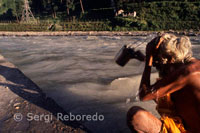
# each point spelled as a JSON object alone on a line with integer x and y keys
{"x": 127, "y": 53}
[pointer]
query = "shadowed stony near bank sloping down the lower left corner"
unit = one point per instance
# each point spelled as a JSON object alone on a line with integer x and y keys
{"x": 25, "y": 108}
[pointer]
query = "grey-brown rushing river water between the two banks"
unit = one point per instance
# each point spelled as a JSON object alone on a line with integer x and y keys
{"x": 79, "y": 72}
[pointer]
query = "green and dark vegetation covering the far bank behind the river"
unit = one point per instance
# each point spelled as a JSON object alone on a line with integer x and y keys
{"x": 151, "y": 15}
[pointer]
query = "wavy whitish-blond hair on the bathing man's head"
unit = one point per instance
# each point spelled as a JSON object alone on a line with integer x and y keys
{"x": 174, "y": 49}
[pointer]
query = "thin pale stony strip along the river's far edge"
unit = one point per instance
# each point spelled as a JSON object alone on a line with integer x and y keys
{"x": 95, "y": 33}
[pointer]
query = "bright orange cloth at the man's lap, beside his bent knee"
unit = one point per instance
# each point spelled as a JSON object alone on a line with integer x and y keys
{"x": 172, "y": 125}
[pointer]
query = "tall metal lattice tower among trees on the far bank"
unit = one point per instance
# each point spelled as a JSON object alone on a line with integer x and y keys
{"x": 27, "y": 15}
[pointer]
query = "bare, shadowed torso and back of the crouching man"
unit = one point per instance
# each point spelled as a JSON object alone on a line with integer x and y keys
{"x": 187, "y": 99}
